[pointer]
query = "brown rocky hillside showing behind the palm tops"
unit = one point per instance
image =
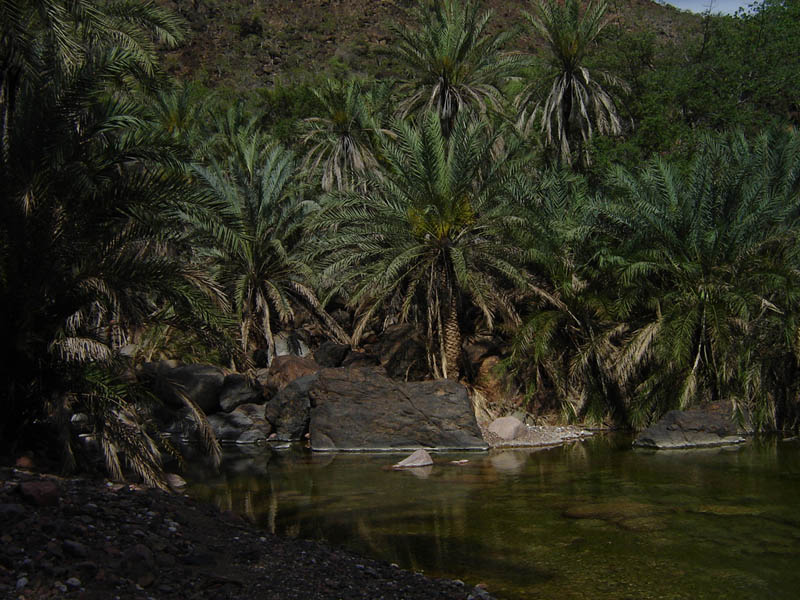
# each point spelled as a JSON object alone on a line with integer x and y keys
{"x": 249, "y": 44}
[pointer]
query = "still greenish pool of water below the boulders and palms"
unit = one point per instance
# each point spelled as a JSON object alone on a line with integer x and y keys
{"x": 590, "y": 520}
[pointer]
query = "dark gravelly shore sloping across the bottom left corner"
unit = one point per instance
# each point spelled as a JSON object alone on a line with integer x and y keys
{"x": 98, "y": 540}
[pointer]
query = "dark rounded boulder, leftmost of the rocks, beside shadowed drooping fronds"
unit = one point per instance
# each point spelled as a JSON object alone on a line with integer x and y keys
{"x": 200, "y": 383}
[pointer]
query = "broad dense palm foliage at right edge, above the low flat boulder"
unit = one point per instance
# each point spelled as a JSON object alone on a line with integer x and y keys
{"x": 707, "y": 266}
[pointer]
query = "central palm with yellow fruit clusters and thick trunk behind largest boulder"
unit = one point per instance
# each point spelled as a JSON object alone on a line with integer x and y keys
{"x": 425, "y": 240}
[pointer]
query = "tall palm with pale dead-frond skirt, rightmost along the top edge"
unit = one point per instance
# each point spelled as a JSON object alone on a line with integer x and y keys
{"x": 577, "y": 105}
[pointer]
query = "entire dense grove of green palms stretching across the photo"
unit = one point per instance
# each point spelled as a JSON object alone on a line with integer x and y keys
{"x": 134, "y": 207}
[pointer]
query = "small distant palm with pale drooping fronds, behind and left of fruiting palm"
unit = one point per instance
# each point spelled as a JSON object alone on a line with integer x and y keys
{"x": 342, "y": 140}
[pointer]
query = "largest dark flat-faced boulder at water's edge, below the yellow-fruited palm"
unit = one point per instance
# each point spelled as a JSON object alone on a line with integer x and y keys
{"x": 359, "y": 409}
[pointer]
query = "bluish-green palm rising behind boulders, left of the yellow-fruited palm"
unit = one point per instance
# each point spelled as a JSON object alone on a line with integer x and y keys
{"x": 251, "y": 239}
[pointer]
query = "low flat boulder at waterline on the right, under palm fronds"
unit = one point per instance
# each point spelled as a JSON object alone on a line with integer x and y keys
{"x": 689, "y": 429}
